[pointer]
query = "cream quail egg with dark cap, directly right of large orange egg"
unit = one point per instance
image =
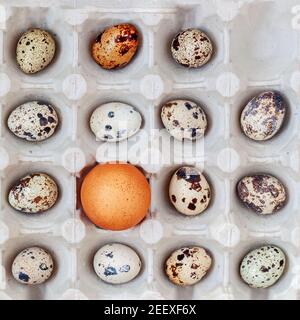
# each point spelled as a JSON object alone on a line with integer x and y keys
{"x": 189, "y": 191}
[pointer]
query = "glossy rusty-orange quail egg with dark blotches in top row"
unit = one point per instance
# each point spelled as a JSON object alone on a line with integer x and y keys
{"x": 115, "y": 46}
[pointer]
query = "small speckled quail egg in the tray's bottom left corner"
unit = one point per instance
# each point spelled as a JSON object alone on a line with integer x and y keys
{"x": 33, "y": 265}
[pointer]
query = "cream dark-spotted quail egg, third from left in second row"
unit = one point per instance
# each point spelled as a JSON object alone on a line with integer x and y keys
{"x": 184, "y": 119}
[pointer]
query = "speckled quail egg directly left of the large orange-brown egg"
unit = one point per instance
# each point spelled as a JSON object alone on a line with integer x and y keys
{"x": 34, "y": 193}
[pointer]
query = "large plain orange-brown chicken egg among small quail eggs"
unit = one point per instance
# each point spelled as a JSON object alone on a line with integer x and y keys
{"x": 115, "y": 196}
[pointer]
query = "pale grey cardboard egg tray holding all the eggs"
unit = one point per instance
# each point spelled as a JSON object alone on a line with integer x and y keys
{"x": 257, "y": 48}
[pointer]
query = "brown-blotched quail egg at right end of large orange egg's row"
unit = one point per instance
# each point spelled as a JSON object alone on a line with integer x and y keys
{"x": 262, "y": 193}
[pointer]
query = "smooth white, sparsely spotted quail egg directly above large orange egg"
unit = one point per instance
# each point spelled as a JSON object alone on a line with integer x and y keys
{"x": 115, "y": 121}
